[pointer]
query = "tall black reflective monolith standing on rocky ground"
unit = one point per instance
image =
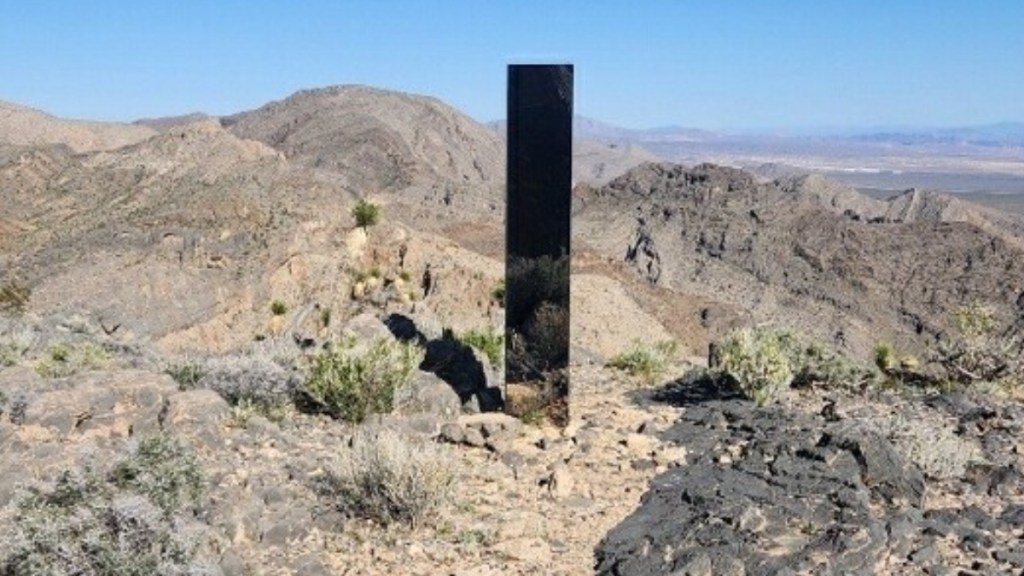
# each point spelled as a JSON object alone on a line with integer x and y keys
{"x": 537, "y": 266}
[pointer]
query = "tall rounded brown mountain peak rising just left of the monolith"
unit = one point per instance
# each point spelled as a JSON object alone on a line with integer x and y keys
{"x": 376, "y": 141}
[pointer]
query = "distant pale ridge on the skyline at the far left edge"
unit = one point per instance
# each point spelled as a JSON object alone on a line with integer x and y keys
{"x": 26, "y": 127}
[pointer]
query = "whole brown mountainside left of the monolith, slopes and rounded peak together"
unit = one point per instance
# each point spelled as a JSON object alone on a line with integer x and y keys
{"x": 185, "y": 237}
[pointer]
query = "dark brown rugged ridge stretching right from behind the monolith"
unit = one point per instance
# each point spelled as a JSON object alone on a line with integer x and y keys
{"x": 805, "y": 255}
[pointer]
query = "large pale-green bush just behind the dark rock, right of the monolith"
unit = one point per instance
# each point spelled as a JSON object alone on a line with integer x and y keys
{"x": 764, "y": 363}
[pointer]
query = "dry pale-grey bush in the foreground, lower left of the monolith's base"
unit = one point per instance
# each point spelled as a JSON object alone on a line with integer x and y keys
{"x": 390, "y": 478}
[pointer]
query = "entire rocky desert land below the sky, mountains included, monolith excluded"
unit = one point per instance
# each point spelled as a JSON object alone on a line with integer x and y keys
{"x": 220, "y": 354}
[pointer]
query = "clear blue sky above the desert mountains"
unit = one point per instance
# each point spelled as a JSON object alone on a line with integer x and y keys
{"x": 709, "y": 64}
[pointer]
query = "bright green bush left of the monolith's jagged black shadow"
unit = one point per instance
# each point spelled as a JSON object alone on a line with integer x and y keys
{"x": 351, "y": 386}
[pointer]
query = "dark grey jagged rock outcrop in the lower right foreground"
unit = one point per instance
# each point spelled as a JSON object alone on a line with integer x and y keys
{"x": 776, "y": 491}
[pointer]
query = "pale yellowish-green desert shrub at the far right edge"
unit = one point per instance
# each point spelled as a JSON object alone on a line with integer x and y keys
{"x": 983, "y": 352}
